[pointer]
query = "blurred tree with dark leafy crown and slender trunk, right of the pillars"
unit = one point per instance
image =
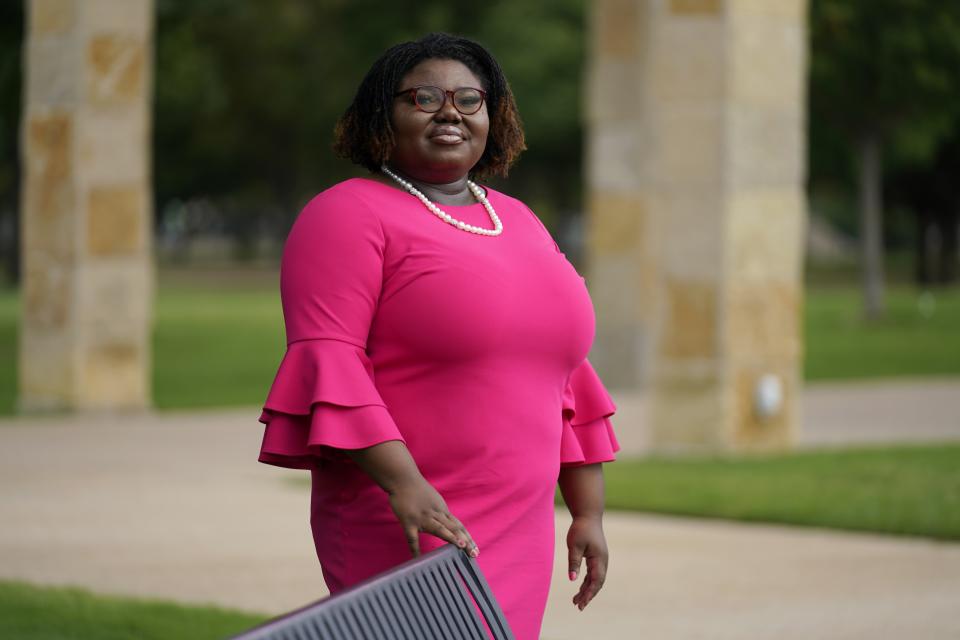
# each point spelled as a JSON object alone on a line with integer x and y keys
{"x": 882, "y": 72}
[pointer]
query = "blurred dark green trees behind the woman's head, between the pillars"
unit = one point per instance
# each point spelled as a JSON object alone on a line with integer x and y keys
{"x": 247, "y": 94}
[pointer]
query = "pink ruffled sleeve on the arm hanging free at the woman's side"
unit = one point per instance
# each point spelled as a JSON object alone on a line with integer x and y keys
{"x": 588, "y": 435}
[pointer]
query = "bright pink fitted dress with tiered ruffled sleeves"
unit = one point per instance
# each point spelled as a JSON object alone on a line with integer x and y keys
{"x": 471, "y": 349}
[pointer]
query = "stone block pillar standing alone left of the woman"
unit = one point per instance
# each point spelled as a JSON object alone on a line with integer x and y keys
{"x": 86, "y": 231}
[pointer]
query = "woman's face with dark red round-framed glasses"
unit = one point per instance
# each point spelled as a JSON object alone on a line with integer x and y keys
{"x": 439, "y": 147}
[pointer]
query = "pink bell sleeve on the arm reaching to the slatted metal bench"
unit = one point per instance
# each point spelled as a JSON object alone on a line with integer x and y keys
{"x": 324, "y": 396}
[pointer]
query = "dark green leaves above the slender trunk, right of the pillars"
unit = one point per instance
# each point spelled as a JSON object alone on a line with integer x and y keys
{"x": 886, "y": 66}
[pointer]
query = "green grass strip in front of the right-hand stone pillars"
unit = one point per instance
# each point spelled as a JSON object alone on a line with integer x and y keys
{"x": 902, "y": 490}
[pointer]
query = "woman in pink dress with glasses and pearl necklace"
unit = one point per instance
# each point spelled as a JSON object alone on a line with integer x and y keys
{"x": 435, "y": 381}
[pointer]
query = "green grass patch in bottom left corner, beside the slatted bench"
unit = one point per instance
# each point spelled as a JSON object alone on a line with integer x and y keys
{"x": 46, "y": 613}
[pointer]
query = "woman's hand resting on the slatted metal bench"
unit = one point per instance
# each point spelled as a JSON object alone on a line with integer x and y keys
{"x": 420, "y": 508}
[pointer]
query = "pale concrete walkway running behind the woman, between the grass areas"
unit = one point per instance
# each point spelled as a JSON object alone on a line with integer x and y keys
{"x": 175, "y": 506}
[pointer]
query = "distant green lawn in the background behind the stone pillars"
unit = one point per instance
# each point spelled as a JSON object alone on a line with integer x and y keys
{"x": 219, "y": 337}
